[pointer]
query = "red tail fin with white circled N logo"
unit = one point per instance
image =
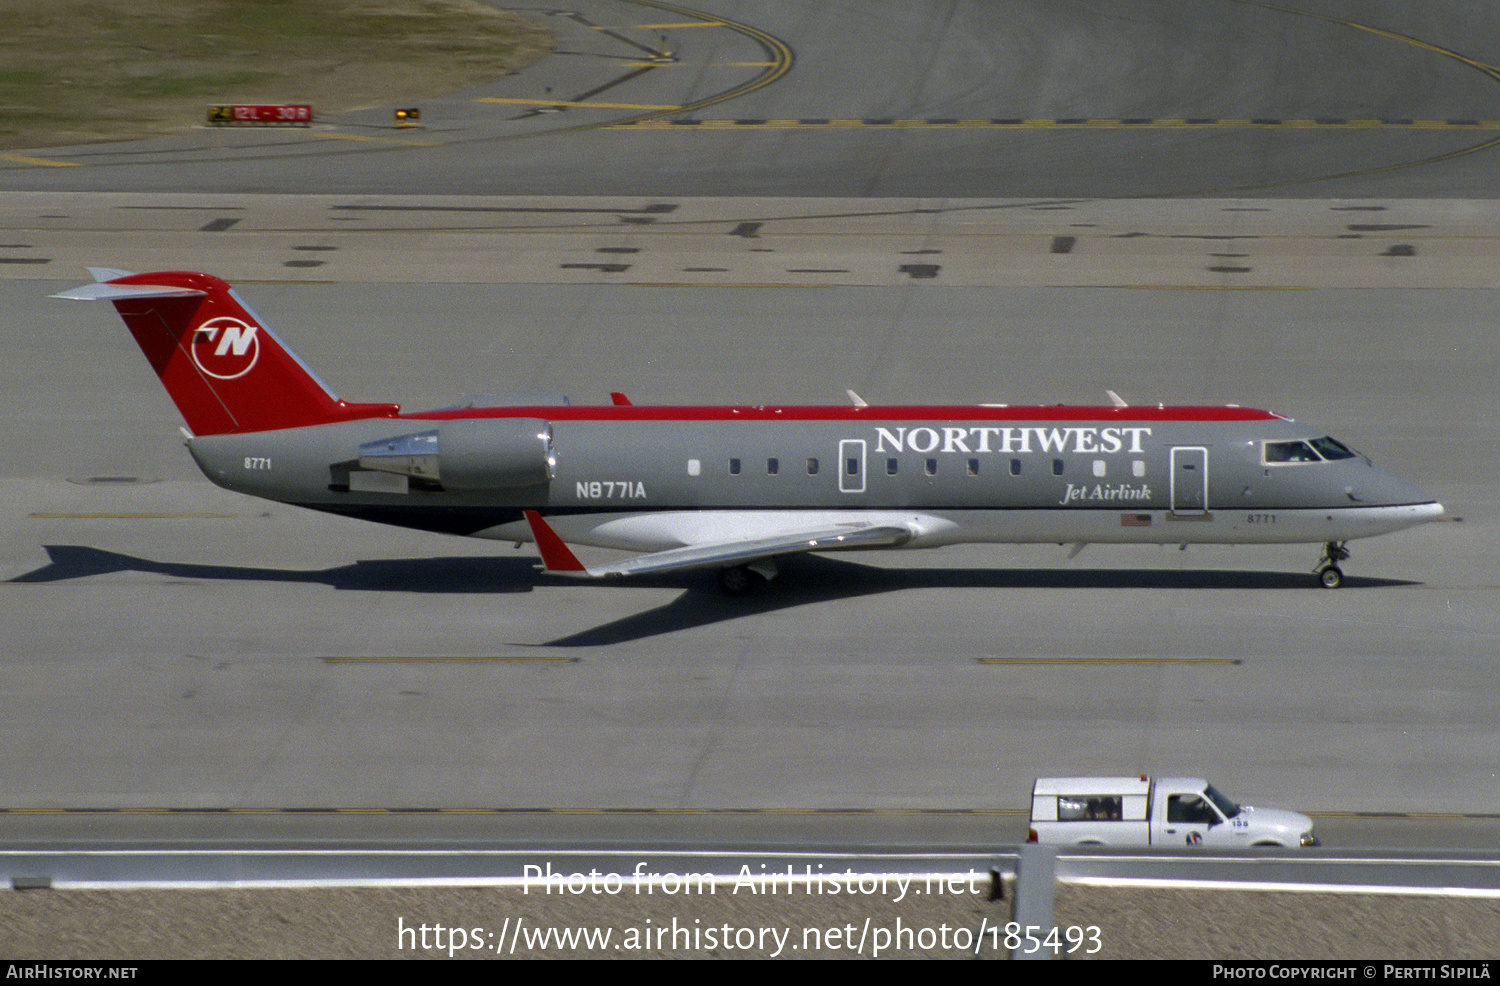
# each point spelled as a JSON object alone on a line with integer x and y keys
{"x": 223, "y": 367}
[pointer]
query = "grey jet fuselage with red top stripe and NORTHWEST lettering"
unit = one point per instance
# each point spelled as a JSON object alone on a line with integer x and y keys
{"x": 1015, "y": 475}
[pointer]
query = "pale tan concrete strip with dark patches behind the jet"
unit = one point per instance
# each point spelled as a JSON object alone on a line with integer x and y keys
{"x": 763, "y": 242}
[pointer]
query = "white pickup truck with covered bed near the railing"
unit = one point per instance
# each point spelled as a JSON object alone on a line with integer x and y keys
{"x": 1159, "y": 813}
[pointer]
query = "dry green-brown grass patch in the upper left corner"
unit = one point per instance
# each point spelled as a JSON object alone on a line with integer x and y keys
{"x": 79, "y": 71}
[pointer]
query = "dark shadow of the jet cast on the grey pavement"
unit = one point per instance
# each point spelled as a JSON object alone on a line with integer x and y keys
{"x": 805, "y": 580}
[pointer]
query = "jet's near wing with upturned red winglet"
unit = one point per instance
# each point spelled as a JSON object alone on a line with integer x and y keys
{"x": 560, "y": 559}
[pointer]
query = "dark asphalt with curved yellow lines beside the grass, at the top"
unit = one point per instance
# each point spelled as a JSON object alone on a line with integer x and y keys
{"x": 1036, "y": 98}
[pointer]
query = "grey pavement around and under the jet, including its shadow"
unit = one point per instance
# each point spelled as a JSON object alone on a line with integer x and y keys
{"x": 187, "y": 648}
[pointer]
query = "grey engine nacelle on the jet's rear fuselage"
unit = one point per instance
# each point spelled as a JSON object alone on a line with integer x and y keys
{"x": 470, "y": 454}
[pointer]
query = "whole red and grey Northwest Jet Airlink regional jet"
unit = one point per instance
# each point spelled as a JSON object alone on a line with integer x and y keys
{"x": 734, "y": 488}
